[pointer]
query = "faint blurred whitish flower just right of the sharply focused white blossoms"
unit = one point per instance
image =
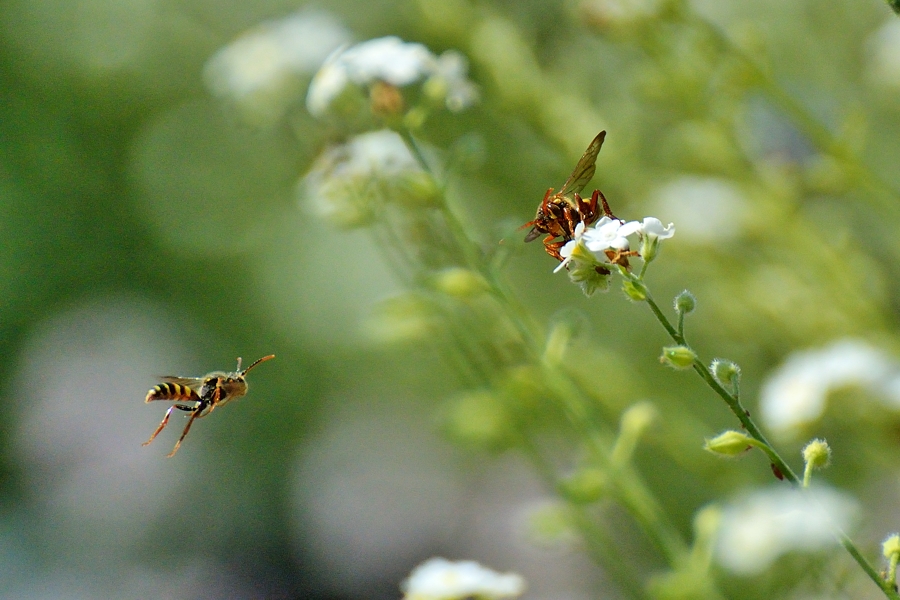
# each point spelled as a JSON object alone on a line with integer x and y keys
{"x": 707, "y": 209}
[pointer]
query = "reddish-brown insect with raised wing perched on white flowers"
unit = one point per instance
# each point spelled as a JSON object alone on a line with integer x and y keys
{"x": 559, "y": 213}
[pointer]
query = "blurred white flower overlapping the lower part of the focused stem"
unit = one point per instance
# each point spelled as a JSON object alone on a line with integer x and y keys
{"x": 766, "y": 524}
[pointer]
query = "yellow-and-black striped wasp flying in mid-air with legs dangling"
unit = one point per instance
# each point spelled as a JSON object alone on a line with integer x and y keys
{"x": 199, "y": 395}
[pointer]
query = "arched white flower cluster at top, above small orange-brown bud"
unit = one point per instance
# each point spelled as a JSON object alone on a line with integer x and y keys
{"x": 398, "y": 63}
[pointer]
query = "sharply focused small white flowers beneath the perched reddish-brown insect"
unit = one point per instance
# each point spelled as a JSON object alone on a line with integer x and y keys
{"x": 591, "y": 245}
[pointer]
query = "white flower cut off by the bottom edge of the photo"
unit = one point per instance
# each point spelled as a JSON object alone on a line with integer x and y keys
{"x": 441, "y": 579}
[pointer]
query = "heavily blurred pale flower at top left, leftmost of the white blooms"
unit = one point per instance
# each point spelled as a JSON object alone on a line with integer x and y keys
{"x": 263, "y": 69}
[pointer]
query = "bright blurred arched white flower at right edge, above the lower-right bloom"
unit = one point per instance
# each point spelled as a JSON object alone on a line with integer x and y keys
{"x": 795, "y": 394}
